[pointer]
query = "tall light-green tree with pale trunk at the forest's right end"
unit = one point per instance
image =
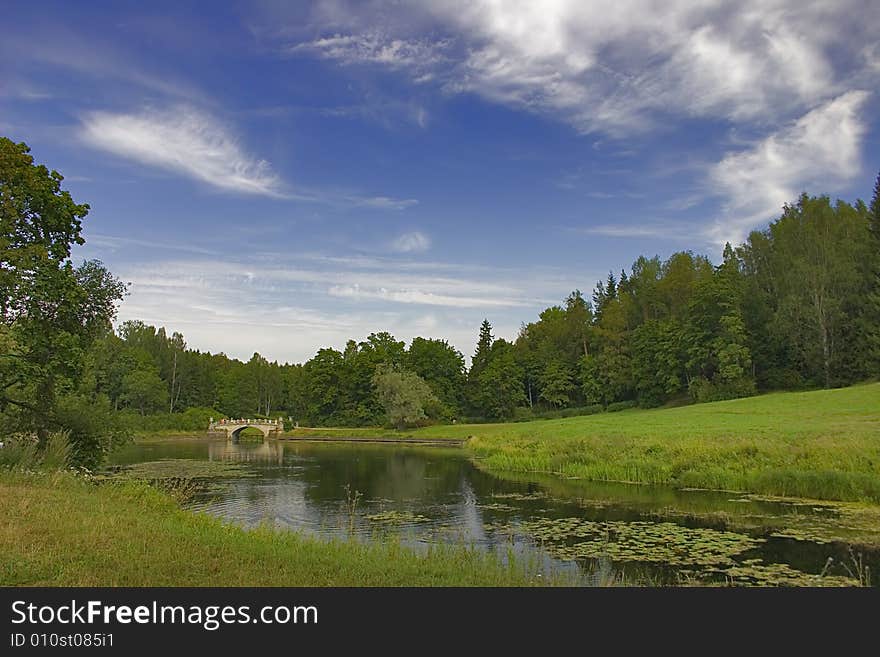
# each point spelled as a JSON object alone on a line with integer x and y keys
{"x": 810, "y": 262}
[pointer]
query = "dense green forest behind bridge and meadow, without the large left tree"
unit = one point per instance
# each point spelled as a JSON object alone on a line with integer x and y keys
{"x": 796, "y": 306}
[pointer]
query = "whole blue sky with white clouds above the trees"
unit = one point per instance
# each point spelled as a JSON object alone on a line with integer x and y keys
{"x": 280, "y": 177}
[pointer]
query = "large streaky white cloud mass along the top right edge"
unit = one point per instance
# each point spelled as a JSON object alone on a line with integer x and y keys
{"x": 618, "y": 66}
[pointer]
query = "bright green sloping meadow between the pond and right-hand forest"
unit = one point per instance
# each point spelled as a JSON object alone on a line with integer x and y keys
{"x": 821, "y": 444}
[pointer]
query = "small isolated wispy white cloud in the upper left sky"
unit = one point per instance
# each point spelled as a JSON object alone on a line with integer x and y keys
{"x": 185, "y": 141}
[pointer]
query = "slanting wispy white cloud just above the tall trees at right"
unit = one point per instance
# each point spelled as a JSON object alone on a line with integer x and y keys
{"x": 821, "y": 150}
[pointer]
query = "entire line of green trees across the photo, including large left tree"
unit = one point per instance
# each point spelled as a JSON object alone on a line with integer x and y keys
{"x": 797, "y": 305}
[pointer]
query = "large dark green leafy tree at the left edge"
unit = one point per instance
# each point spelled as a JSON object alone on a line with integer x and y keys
{"x": 51, "y": 311}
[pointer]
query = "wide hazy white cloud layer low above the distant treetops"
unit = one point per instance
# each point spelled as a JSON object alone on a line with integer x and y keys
{"x": 289, "y": 306}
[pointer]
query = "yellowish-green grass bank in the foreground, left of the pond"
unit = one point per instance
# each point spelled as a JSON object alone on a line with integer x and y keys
{"x": 60, "y": 530}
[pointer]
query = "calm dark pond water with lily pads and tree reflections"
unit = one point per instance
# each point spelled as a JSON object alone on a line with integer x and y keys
{"x": 593, "y": 531}
